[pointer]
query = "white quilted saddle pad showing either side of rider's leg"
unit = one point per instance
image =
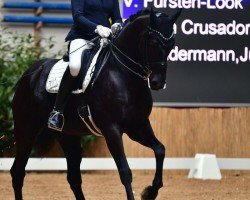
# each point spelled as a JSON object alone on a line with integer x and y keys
{"x": 57, "y": 71}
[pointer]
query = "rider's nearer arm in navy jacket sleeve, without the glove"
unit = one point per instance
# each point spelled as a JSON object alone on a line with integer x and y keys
{"x": 78, "y": 16}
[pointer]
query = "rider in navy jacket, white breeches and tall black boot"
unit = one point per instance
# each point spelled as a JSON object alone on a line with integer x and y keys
{"x": 91, "y": 18}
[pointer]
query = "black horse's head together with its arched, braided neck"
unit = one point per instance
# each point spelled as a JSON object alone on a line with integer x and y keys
{"x": 144, "y": 45}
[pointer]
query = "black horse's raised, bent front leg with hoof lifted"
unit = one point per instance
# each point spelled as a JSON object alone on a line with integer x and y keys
{"x": 145, "y": 136}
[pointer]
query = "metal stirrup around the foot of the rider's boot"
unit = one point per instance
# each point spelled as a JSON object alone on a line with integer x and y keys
{"x": 54, "y": 121}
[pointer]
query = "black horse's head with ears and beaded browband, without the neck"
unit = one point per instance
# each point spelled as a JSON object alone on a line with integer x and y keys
{"x": 159, "y": 42}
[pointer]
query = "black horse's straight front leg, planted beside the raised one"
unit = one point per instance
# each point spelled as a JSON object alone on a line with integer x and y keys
{"x": 114, "y": 141}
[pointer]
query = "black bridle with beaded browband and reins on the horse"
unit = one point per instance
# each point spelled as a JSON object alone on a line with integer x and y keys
{"x": 145, "y": 66}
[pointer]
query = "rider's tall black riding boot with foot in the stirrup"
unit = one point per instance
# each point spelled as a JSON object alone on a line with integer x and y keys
{"x": 56, "y": 119}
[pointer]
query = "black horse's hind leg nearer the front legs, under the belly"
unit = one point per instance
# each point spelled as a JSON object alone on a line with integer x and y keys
{"x": 73, "y": 152}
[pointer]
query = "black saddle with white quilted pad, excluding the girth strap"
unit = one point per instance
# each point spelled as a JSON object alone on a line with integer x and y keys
{"x": 93, "y": 61}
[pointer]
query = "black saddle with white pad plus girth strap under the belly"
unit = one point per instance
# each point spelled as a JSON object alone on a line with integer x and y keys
{"x": 93, "y": 61}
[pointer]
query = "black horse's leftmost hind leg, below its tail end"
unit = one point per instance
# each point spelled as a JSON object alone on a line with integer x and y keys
{"x": 24, "y": 142}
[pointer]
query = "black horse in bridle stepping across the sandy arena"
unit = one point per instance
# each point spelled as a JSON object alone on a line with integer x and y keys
{"x": 120, "y": 101}
